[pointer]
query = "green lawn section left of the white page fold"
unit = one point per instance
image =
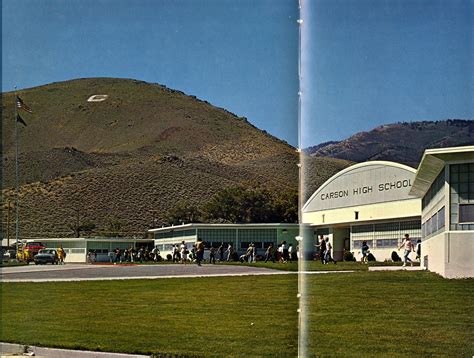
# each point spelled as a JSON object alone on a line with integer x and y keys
{"x": 207, "y": 317}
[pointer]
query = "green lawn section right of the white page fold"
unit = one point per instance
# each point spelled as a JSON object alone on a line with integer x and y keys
{"x": 390, "y": 314}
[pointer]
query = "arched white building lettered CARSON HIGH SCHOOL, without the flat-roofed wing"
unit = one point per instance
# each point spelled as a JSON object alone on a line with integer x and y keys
{"x": 369, "y": 202}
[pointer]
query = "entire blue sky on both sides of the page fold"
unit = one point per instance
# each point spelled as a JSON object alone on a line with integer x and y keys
{"x": 364, "y": 62}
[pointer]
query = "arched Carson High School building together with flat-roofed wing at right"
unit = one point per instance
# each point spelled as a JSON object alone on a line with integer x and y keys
{"x": 380, "y": 201}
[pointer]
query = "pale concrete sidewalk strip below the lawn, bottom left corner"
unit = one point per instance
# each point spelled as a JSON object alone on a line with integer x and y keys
{"x": 12, "y": 350}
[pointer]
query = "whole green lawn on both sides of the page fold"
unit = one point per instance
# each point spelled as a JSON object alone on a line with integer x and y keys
{"x": 350, "y": 314}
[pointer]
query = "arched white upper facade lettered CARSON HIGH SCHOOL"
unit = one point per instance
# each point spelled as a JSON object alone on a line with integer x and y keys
{"x": 363, "y": 184}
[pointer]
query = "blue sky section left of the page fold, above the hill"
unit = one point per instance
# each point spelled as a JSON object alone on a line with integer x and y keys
{"x": 240, "y": 55}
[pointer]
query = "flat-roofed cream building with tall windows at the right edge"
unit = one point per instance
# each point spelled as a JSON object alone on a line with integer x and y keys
{"x": 445, "y": 182}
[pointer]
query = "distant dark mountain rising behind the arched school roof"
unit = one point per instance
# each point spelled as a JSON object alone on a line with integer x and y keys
{"x": 400, "y": 142}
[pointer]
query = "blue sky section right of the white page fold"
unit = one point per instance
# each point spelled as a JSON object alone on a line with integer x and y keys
{"x": 371, "y": 62}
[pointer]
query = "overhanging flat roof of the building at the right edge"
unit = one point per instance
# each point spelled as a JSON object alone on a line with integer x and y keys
{"x": 432, "y": 164}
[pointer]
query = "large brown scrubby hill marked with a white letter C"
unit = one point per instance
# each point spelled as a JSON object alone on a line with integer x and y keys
{"x": 123, "y": 162}
